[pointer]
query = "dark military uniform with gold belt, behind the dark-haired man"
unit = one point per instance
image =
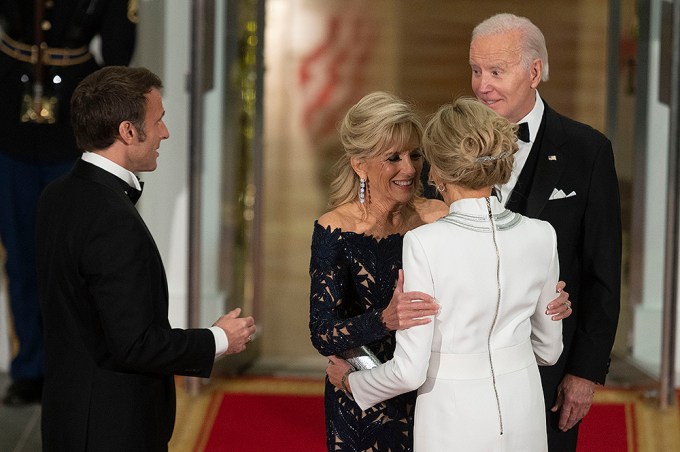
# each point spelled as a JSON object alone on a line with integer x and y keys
{"x": 35, "y": 149}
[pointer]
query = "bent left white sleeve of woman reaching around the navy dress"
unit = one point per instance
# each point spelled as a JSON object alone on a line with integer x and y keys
{"x": 407, "y": 370}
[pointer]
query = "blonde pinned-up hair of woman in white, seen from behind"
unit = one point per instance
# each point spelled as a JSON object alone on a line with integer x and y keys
{"x": 470, "y": 145}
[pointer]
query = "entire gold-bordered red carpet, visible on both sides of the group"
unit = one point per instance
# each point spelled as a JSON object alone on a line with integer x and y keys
{"x": 267, "y": 415}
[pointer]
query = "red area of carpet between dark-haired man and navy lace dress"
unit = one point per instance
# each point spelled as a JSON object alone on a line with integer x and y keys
{"x": 266, "y": 422}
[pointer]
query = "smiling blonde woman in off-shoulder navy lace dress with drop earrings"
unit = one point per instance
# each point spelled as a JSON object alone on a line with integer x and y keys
{"x": 356, "y": 260}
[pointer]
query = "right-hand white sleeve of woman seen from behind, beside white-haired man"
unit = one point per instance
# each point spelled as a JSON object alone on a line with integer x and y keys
{"x": 546, "y": 334}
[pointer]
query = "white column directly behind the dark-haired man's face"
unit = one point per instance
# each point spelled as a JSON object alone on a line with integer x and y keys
{"x": 163, "y": 47}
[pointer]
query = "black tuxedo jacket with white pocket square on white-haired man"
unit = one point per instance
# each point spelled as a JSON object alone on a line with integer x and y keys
{"x": 570, "y": 181}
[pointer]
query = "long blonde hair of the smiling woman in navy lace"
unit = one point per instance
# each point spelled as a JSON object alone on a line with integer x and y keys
{"x": 379, "y": 120}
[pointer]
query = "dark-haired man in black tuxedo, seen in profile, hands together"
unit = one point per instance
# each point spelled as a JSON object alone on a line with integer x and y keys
{"x": 110, "y": 351}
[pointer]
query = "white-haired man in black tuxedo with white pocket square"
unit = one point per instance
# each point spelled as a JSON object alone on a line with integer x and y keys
{"x": 563, "y": 173}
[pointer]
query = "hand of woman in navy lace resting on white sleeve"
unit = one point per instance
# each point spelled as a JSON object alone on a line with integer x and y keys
{"x": 407, "y": 309}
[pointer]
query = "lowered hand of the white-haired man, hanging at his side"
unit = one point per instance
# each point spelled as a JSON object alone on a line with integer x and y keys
{"x": 574, "y": 399}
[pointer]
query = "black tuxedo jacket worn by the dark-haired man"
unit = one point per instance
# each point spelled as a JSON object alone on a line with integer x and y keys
{"x": 110, "y": 351}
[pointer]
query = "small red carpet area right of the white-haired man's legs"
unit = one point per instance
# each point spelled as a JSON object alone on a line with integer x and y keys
{"x": 608, "y": 427}
